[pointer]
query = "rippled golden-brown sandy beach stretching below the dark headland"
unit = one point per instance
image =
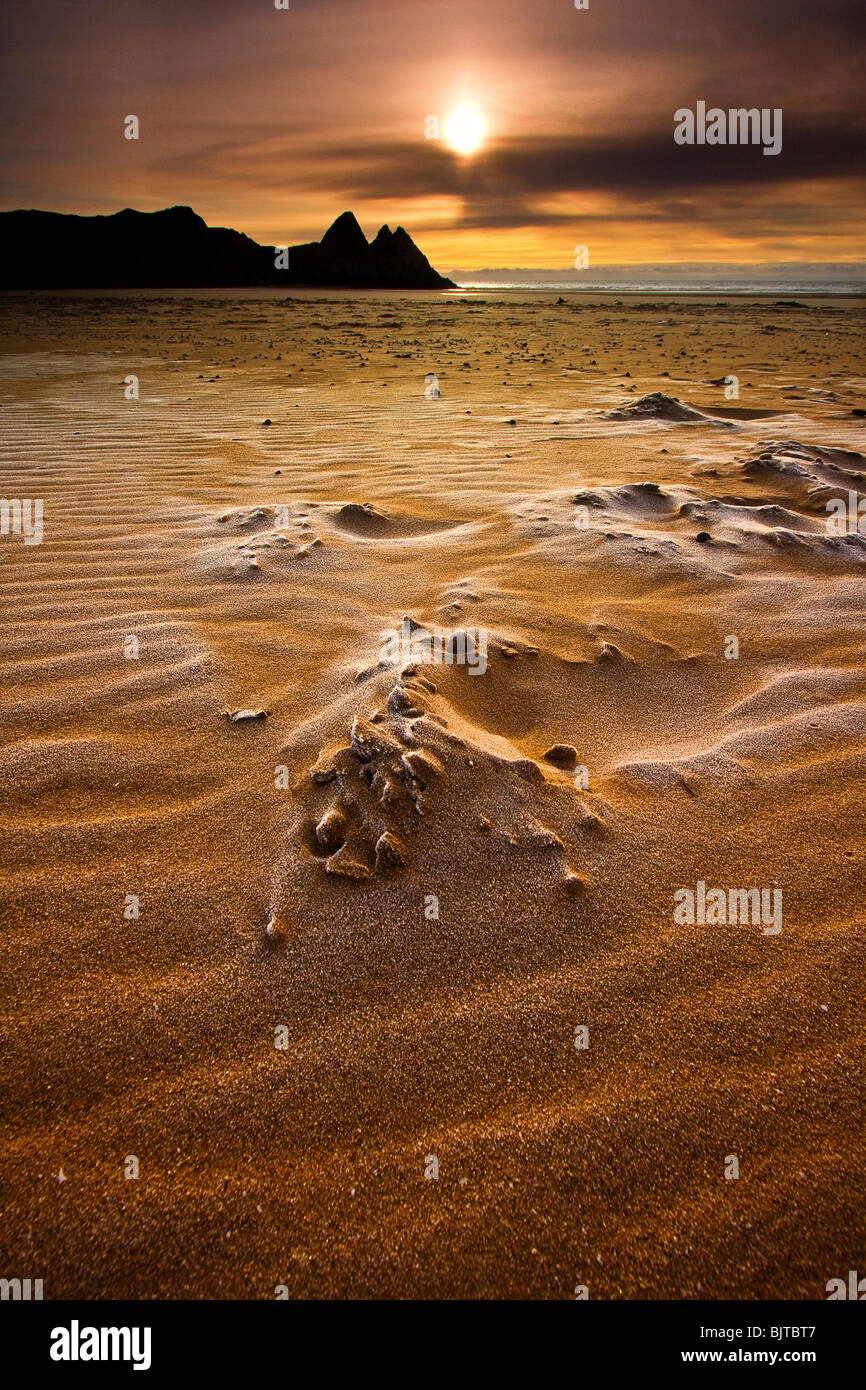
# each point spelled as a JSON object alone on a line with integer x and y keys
{"x": 384, "y": 989}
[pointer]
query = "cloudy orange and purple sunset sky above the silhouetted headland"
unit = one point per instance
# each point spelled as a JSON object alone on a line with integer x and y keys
{"x": 275, "y": 122}
